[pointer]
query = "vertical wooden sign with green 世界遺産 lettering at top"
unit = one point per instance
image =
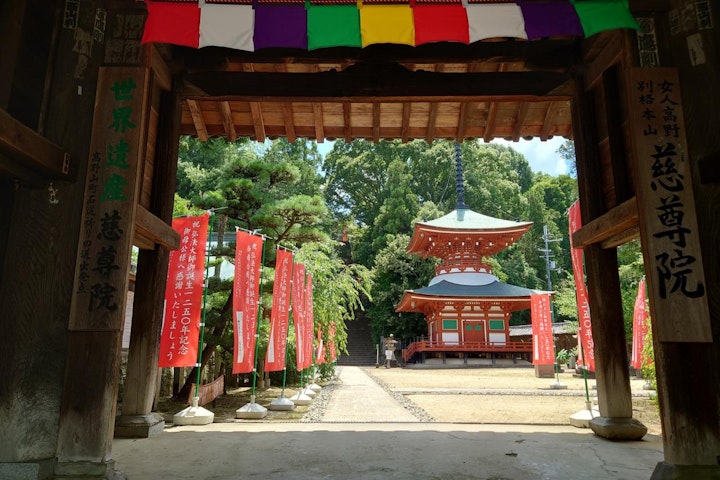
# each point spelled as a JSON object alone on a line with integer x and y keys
{"x": 111, "y": 186}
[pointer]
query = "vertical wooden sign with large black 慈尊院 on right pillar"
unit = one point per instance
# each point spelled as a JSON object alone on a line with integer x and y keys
{"x": 666, "y": 207}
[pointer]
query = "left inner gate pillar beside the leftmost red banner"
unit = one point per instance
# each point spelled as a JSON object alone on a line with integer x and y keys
{"x": 136, "y": 419}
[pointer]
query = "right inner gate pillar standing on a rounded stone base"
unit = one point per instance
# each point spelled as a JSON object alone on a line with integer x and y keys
{"x": 599, "y": 149}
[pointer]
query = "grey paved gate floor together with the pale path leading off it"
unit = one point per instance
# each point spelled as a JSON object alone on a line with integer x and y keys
{"x": 393, "y": 445}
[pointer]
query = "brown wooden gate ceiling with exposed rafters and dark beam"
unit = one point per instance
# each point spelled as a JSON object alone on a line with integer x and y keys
{"x": 505, "y": 88}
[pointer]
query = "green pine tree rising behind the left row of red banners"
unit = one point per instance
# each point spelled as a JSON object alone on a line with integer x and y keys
{"x": 255, "y": 194}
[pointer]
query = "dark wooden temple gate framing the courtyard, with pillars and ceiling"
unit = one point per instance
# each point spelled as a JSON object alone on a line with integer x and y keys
{"x": 60, "y": 347}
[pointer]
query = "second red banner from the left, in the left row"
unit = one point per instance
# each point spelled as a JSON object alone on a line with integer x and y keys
{"x": 248, "y": 255}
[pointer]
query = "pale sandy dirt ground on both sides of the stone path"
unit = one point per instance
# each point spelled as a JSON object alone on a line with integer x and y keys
{"x": 468, "y": 395}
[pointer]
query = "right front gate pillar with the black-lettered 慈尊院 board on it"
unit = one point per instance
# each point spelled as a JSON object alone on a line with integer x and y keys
{"x": 675, "y": 265}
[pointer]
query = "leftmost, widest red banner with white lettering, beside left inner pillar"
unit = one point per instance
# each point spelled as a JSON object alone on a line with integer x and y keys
{"x": 183, "y": 294}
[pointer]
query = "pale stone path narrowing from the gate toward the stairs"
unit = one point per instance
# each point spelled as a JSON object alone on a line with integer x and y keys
{"x": 360, "y": 399}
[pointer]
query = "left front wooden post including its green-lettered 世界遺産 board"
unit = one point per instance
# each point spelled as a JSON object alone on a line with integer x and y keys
{"x": 102, "y": 270}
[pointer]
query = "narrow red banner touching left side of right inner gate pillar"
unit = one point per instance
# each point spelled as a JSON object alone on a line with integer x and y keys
{"x": 587, "y": 350}
